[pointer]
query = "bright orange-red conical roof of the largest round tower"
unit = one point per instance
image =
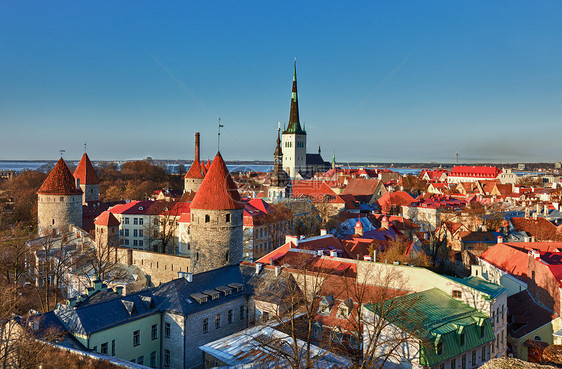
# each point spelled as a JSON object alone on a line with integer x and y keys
{"x": 218, "y": 191}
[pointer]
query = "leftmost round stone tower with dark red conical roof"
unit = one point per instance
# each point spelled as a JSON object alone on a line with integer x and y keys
{"x": 60, "y": 200}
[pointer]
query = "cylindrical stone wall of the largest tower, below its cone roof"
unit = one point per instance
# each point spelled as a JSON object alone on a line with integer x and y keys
{"x": 215, "y": 242}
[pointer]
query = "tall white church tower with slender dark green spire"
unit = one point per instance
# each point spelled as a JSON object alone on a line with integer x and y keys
{"x": 294, "y": 137}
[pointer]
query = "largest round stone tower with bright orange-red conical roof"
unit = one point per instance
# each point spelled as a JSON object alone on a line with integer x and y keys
{"x": 216, "y": 221}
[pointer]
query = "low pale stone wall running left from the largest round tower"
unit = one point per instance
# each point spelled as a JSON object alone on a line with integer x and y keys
{"x": 161, "y": 268}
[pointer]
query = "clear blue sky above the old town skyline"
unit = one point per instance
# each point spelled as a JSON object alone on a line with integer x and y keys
{"x": 479, "y": 77}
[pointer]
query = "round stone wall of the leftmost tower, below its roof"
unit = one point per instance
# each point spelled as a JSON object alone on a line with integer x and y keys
{"x": 58, "y": 211}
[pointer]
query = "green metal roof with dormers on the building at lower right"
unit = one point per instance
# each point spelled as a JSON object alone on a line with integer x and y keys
{"x": 433, "y": 316}
